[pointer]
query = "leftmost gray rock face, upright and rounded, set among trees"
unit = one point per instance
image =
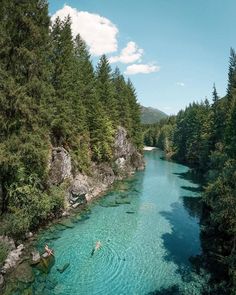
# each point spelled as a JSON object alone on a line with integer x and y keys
{"x": 59, "y": 166}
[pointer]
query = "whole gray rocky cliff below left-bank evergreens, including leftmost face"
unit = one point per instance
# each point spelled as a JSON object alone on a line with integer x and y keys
{"x": 83, "y": 188}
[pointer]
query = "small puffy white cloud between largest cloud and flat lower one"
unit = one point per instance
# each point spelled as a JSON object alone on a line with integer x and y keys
{"x": 129, "y": 54}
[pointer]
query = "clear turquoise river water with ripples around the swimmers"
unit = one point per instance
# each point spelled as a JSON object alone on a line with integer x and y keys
{"x": 148, "y": 227}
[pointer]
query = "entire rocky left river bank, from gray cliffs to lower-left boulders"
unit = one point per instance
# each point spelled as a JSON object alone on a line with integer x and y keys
{"x": 80, "y": 191}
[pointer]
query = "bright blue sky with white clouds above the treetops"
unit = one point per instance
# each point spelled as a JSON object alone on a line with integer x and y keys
{"x": 174, "y": 50}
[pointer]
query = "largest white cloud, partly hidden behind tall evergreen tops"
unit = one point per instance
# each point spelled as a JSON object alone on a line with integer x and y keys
{"x": 98, "y": 32}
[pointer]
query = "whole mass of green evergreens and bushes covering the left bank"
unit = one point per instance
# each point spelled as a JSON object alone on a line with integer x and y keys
{"x": 50, "y": 95}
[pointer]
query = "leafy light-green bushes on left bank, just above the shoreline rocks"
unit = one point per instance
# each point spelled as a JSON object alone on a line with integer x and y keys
{"x": 29, "y": 205}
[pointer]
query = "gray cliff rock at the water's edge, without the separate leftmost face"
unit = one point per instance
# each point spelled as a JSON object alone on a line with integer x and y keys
{"x": 85, "y": 188}
